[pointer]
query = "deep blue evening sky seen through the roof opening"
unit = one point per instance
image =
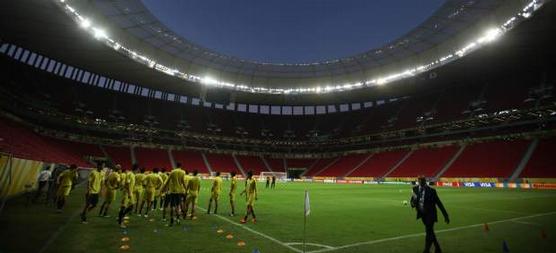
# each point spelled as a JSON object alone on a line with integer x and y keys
{"x": 291, "y": 31}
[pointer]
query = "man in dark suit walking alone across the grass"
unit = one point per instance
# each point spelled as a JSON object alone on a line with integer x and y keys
{"x": 424, "y": 200}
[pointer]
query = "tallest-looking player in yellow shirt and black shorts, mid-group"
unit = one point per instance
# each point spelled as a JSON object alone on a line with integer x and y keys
{"x": 175, "y": 187}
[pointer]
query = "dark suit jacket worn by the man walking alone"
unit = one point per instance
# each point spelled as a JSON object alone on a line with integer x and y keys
{"x": 429, "y": 206}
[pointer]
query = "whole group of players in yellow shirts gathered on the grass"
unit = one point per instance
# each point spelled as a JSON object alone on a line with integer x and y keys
{"x": 176, "y": 190}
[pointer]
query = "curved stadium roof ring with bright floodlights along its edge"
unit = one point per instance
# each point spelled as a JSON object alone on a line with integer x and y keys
{"x": 129, "y": 28}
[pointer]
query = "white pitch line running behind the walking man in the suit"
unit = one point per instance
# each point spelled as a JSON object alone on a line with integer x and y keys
{"x": 438, "y": 231}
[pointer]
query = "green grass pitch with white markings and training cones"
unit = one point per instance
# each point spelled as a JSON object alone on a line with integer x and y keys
{"x": 344, "y": 218}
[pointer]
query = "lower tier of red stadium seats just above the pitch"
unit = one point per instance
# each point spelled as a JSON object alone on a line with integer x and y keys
{"x": 488, "y": 159}
